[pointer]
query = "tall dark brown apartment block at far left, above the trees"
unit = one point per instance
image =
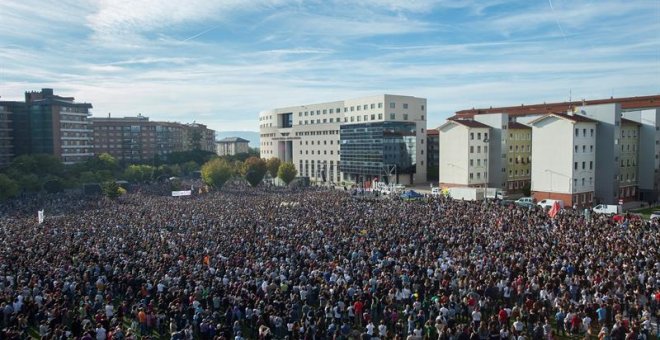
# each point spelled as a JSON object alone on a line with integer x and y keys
{"x": 51, "y": 124}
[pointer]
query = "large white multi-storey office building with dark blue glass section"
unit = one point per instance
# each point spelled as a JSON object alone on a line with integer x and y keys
{"x": 356, "y": 140}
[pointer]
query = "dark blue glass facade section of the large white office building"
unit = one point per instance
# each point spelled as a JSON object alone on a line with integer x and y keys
{"x": 376, "y": 149}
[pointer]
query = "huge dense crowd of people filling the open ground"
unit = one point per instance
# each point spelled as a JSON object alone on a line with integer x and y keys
{"x": 321, "y": 264}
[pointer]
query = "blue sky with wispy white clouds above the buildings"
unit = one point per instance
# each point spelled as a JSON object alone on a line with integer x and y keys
{"x": 221, "y": 62}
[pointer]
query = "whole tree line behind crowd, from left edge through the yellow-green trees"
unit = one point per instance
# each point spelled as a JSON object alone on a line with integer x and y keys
{"x": 34, "y": 173}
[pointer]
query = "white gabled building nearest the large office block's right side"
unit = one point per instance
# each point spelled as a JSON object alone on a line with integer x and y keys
{"x": 464, "y": 153}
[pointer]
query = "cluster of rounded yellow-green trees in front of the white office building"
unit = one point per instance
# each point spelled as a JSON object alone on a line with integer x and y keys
{"x": 218, "y": 171}
